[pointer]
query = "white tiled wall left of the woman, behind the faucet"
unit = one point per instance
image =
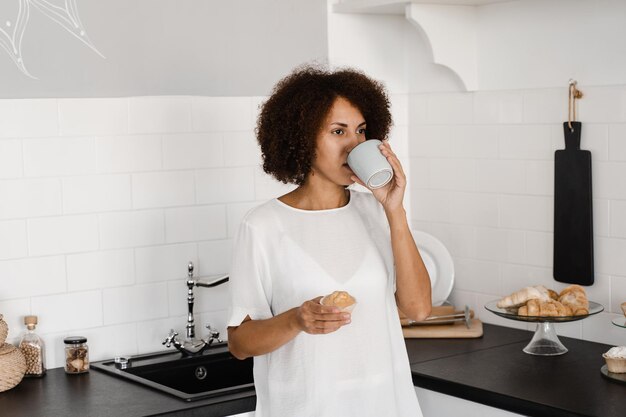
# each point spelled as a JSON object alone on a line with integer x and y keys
{"x": 103, "y": 202}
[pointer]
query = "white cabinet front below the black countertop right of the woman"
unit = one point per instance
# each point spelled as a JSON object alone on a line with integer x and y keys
{"x": 435, "y": 404}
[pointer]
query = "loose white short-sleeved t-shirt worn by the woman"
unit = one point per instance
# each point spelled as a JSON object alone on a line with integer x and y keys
{"x": 284, "y": 256}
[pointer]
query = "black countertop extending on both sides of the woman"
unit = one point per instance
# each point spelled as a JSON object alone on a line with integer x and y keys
{"x": 491, "y": 370}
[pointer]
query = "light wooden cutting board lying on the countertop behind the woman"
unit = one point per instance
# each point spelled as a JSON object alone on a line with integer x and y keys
{"x": 443, "y": 331}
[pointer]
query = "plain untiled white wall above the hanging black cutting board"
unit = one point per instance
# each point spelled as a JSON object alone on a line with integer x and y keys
{"x": 542, "y": 43}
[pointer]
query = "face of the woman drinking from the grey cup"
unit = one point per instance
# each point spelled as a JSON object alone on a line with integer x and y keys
{"x": 342, "y": 130}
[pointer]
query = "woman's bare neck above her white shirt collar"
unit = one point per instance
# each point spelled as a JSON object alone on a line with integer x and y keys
{"x": 317, "y": 196}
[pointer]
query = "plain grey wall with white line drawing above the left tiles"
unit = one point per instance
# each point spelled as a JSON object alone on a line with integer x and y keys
{"x": 164, "y": 47}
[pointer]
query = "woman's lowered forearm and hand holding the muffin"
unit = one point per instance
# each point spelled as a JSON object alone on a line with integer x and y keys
{"x": 258, "y": 337}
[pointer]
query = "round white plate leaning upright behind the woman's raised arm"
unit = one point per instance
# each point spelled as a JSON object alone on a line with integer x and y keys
{"x": 438, "y": 263}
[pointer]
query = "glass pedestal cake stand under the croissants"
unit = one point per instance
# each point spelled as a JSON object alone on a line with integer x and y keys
{"x": 545, "y": 342}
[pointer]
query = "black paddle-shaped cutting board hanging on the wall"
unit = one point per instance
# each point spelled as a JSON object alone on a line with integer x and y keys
{"x": 573, "y": 215}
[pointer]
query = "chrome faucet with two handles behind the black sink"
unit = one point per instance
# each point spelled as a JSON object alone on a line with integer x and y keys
{"x": 191, "y": 345}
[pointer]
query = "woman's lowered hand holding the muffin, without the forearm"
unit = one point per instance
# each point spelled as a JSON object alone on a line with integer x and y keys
{"x": 314, "y": 318}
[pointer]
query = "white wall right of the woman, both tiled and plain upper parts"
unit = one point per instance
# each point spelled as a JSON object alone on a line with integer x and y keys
{"x": 482, "y": 163}
